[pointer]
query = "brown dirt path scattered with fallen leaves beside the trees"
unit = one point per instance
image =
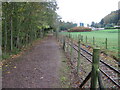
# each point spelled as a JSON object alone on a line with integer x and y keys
{"x": 37, "y": 68}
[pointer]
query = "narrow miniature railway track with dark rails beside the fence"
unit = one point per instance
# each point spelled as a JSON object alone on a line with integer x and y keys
{"x": 110, "y": 72}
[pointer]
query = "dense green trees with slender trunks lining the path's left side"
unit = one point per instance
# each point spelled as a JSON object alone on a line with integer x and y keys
{"x": 24, "y": 22}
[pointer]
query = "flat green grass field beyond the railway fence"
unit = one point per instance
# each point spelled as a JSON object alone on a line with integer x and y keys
{"x": 99, "y": 39}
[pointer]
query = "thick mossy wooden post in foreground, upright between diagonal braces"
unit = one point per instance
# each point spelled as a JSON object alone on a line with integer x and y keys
{"x": 95, "y": 68}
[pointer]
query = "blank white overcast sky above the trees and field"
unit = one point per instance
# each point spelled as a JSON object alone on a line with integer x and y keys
{"x": 85, "y": 11}
